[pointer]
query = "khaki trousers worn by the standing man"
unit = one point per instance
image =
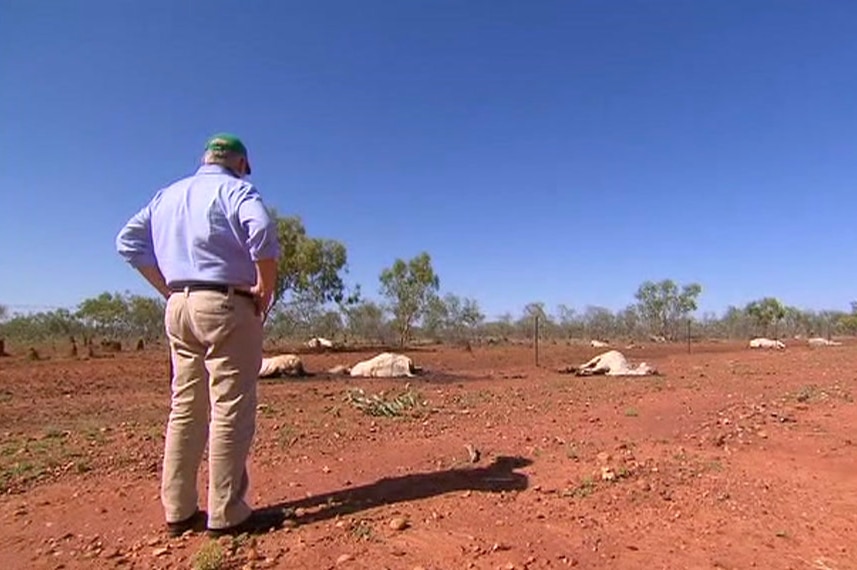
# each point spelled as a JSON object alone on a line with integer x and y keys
{"x": 216, "y": 350}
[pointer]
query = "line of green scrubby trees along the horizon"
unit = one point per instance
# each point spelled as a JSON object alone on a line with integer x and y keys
{"x": 313, "y": 298}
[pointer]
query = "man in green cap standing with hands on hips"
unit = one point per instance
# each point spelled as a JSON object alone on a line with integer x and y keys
{"x": 208, "y": 245}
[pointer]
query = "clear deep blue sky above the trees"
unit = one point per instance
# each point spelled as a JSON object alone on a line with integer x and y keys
{"x": 555, "y": 151}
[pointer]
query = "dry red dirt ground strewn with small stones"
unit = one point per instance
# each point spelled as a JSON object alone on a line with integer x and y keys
{"x": 732, "y": 459}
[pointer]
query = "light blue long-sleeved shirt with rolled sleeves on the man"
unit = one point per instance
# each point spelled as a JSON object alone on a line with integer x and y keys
{"x": 211, "y": 226}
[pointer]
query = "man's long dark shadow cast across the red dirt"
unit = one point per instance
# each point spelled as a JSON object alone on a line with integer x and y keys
{"x": 496, "y": 477}
